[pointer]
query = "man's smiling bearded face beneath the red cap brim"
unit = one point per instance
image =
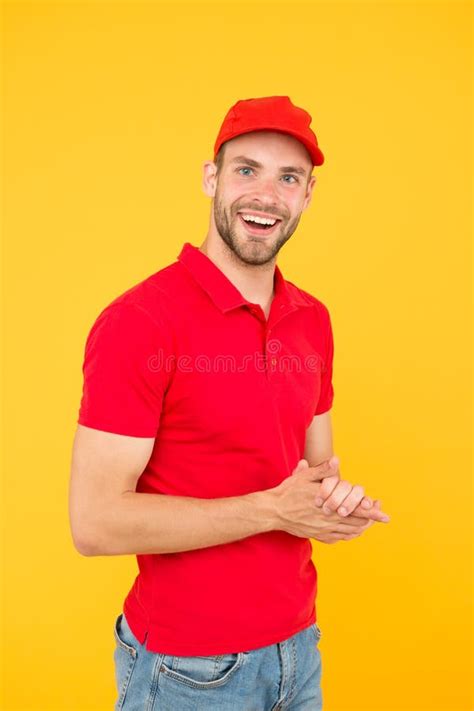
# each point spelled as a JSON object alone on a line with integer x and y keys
{"x": 264, "y": 174}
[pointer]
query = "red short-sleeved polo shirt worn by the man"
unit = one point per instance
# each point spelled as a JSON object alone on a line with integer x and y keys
{"x": 185, "y": 358}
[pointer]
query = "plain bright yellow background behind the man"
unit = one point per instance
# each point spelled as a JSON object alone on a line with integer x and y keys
{"x": 110, "y": 110}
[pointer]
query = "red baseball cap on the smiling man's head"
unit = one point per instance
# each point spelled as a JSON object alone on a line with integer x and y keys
{"x": 270, "y": 113}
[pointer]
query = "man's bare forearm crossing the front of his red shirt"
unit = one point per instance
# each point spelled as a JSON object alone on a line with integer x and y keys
{"x": 140, "y": 523}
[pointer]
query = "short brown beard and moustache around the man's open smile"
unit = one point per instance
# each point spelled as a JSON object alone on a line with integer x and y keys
{"x": 250, "y": 251}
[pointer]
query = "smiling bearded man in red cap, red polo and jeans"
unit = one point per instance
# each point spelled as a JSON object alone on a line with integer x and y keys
{"x": 204, "y": 444}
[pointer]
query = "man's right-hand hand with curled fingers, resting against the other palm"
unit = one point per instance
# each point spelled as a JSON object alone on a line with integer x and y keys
{"x": 339, "y": 495}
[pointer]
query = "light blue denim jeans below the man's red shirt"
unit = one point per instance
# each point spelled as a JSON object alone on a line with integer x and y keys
{"x": 285, "y": 676}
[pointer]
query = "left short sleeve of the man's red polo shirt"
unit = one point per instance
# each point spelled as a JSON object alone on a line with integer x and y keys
{"x": 123, "y": 387}
